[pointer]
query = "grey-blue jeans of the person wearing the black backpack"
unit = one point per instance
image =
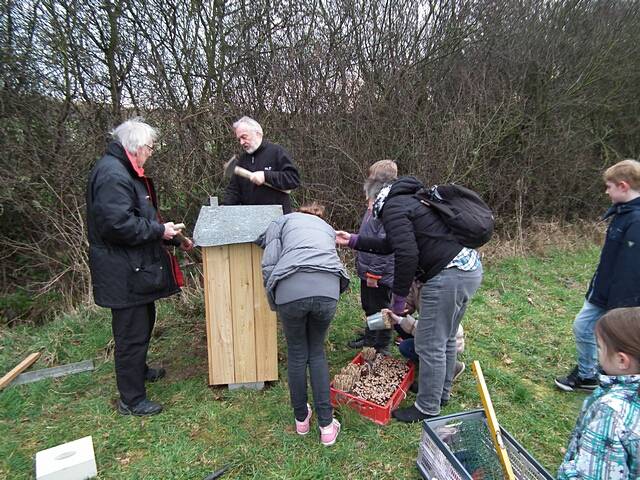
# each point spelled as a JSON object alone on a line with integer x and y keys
{"x": 443, "y": 301}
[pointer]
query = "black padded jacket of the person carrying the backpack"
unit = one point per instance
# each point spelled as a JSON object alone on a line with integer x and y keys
{"x": 412, "y": 230}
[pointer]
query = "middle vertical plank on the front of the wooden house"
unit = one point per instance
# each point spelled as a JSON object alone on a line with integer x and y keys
{"x": 244, "y": 339}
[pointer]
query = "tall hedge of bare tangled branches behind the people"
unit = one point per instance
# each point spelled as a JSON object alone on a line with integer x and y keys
{"x": 509, "y": 98}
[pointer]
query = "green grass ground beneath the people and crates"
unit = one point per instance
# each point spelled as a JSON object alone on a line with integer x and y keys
{"x": 518, "y": 326}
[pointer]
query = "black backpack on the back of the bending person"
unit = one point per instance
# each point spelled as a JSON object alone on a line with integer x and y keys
{"x": 465, "y": 213}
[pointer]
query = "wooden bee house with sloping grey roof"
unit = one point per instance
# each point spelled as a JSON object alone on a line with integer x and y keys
{"x": 241, "y": 328}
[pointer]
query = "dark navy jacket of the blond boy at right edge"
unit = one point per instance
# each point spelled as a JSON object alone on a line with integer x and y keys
{"x": 616, "y": 282}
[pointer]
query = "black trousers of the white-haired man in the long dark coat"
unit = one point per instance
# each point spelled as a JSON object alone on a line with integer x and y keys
{"x": 132, "y": 329}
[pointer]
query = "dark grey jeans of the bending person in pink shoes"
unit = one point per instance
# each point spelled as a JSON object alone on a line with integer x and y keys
{"x": 305, "y": 323}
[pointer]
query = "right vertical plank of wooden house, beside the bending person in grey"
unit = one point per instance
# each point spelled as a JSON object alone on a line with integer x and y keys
{"x": 265, "y": 323}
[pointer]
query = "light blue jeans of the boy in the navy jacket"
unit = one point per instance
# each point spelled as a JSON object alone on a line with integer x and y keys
{"x": 584, "y": 331}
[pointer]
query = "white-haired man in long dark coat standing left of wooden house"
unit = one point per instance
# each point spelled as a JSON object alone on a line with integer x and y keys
{"x": 130, "y": 265}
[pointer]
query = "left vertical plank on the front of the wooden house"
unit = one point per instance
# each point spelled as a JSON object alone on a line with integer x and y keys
{"x": 217, "y": 294}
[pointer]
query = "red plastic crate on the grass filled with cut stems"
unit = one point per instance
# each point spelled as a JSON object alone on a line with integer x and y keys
{"x": 379, "y": 414}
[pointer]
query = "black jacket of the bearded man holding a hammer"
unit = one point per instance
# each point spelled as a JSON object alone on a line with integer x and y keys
{"x": 279, "y": 171}
